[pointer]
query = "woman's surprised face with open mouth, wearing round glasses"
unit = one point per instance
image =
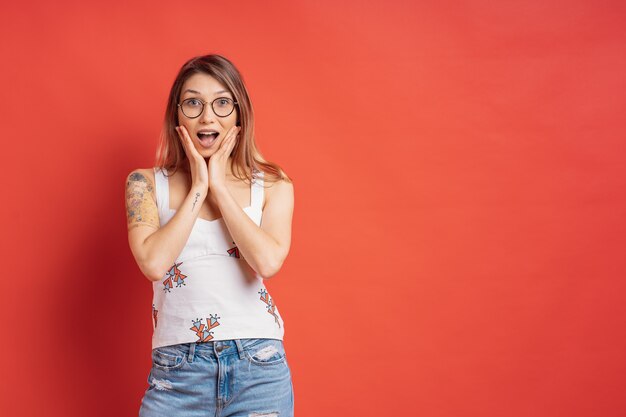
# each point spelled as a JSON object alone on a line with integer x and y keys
{"x": 206, "y": 88}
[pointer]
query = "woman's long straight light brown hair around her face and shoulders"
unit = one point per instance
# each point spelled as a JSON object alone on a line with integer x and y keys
{"x": 246, "y": 159}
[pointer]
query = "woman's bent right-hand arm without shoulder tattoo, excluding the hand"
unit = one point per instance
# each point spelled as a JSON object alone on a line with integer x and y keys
{"x": 266, "y": 247}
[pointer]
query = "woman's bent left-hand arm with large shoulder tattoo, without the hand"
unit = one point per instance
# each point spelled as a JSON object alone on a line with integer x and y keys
{"x": 156, "y": 248}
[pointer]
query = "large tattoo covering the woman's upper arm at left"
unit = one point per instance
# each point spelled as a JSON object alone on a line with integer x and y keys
{"x": 140, "y": 207}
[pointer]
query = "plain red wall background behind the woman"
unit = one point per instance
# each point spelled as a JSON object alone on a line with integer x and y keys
{"x": 459, "y": 233}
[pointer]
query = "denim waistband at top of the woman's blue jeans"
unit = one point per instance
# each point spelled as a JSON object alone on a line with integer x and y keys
{"x": 217, "y": 348}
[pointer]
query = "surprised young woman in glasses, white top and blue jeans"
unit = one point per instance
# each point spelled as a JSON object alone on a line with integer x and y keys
{"x": 207, "y": 226}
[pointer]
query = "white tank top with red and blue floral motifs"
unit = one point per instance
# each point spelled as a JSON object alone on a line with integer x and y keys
{"x": 210, "y": 293}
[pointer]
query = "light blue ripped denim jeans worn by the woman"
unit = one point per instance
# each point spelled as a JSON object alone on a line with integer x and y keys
{"x": 225, "y": 378}
